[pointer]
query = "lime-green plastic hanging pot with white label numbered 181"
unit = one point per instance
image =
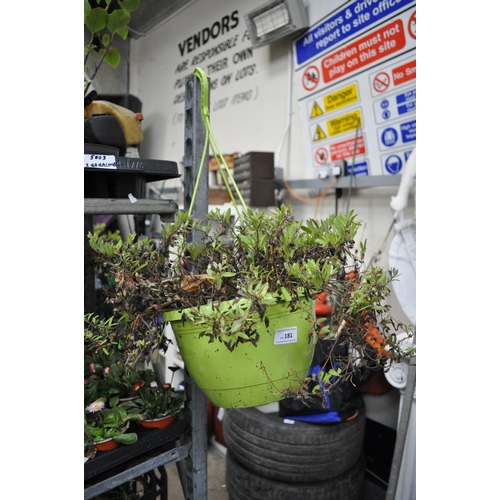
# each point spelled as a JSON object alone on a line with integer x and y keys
{"x": 249, "y": 375}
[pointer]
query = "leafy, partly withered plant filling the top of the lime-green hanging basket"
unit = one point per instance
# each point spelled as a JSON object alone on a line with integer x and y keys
{"x": 236, "y": 271}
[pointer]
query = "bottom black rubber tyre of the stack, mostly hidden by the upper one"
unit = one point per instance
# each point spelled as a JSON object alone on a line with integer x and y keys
{"x": 243, "y": 484}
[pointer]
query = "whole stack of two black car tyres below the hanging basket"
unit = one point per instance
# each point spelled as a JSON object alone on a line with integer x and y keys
{"x": 268, "y": 458}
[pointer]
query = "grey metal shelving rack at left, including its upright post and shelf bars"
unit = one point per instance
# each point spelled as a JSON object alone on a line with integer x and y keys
{"x": 185, "y": 442}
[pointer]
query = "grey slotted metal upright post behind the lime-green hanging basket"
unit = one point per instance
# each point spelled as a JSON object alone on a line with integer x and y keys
{"x": 193, "y": 469}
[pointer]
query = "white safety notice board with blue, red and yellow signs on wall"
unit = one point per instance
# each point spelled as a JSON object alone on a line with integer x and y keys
{"x": 355, "y": 72}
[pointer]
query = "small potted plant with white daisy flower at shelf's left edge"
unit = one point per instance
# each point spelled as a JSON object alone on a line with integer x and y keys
{"x": 107, "y": 427}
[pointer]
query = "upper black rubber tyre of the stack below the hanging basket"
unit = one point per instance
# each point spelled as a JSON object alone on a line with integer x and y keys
{"x": 293, "y": 453}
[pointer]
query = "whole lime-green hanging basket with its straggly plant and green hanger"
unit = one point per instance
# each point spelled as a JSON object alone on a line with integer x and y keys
{"x": 239, "y": 296}
